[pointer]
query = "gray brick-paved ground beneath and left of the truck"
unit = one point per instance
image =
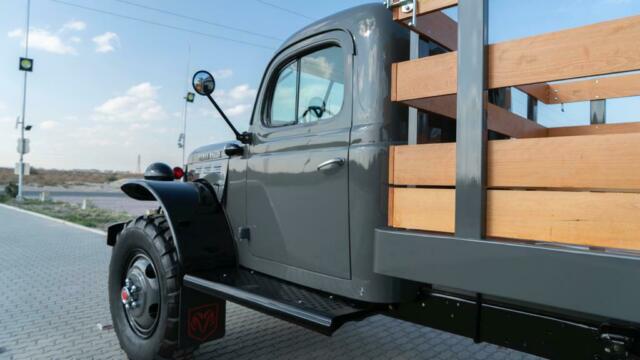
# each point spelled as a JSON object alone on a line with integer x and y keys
{"x": 53, "y": 280}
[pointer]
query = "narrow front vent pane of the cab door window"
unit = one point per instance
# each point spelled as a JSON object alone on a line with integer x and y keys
{"x": 283, "y": 103}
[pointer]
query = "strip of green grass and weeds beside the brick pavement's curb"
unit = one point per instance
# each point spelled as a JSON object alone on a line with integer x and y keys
{"x": 92, "y": 216}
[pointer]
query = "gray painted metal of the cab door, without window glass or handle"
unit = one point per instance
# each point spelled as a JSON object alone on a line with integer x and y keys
{"x": 298, "y": 215}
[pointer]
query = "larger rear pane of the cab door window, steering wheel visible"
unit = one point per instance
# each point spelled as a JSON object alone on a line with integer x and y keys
{"x": 321, "y": 85}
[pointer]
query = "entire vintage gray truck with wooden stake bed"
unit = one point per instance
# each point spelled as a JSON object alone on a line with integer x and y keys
{"x": 383, "y": 173}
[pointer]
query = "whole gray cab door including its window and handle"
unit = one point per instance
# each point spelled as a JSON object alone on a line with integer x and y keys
{"x": 297, "y": 169}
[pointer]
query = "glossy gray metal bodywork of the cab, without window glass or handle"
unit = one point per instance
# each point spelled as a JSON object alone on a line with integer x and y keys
{"x": 314, "y": 228}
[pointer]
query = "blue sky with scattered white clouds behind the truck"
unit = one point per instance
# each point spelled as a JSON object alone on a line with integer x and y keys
{"x": 107, "y": 88}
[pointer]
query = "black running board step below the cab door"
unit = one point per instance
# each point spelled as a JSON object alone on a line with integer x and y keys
{"x": 309, "y": 308}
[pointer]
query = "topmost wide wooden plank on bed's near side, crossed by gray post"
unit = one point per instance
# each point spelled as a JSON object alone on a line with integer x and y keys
{"x": 598, "y": 49}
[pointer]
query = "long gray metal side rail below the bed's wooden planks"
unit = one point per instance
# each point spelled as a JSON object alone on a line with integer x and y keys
{"x": 564, "y": 278}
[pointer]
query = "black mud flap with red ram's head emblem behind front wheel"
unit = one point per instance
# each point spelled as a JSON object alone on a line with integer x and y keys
{"x": 202, "y": 317}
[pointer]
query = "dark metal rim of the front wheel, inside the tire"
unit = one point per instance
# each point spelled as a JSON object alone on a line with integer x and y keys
{"x": 140, "y": 295}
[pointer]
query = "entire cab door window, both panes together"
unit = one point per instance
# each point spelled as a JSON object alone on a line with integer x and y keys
{"x": 309, "y": 89}
